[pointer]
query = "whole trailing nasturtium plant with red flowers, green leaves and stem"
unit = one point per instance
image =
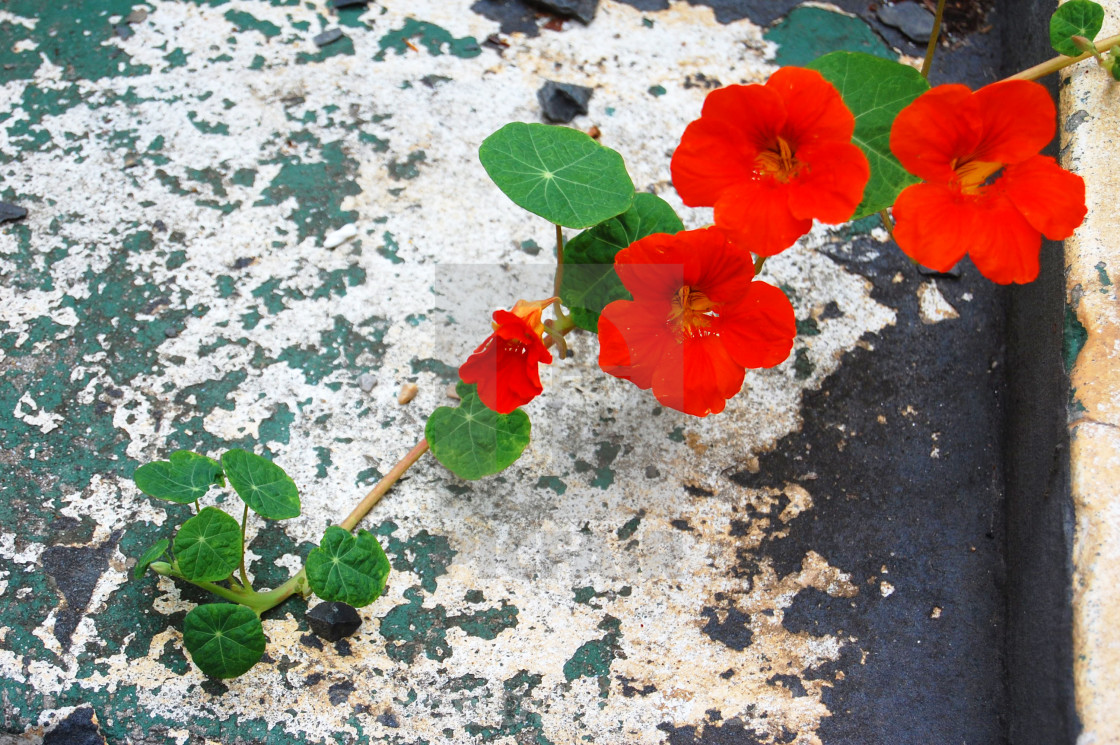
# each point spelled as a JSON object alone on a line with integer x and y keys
{"x": 693, "y": 315}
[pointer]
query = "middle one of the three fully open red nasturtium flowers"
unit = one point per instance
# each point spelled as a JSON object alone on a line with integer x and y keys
{"x": 772, "y": 159}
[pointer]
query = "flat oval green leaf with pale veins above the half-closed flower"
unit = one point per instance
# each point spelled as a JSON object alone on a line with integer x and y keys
{"x": 558, "y": 173}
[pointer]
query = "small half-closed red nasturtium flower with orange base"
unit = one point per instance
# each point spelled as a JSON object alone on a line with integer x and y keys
{"x": 505, "y": 366}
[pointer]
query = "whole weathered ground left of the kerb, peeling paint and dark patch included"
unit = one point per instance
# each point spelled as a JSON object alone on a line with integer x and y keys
{"x": 824, "y": 563}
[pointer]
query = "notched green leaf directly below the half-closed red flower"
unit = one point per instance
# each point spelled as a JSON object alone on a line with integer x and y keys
{"x": 473, "y": 441}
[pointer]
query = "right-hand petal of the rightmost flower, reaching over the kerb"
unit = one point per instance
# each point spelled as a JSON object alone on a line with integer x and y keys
{"x": 1051, "y": 199}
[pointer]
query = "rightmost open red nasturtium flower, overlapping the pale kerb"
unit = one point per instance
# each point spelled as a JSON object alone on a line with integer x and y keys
{"x": 987, "y": 191}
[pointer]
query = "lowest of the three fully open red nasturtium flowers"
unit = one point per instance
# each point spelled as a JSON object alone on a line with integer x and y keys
{"x": 697, "y": 320}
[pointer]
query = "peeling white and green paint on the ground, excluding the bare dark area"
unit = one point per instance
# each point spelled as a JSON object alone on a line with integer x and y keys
{"x": 171, "y": 288}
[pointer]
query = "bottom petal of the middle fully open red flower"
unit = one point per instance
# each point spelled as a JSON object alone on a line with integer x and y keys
{"x": 757, "y": 216}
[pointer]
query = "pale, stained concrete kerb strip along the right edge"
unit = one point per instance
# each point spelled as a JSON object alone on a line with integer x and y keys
{"x": 1091, "y": 147}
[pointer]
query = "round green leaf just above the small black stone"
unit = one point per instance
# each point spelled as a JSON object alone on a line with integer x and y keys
{"x": 348, "y": 569}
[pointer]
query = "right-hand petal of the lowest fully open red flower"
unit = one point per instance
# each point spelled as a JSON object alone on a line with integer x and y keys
{"x": 759, "y": 332}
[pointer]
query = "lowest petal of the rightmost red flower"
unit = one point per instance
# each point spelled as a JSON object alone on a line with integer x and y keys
{"x": 1005, "y": 248}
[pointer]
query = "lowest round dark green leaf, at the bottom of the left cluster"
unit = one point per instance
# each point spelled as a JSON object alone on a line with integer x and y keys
{"x": 225, "y": 640}
